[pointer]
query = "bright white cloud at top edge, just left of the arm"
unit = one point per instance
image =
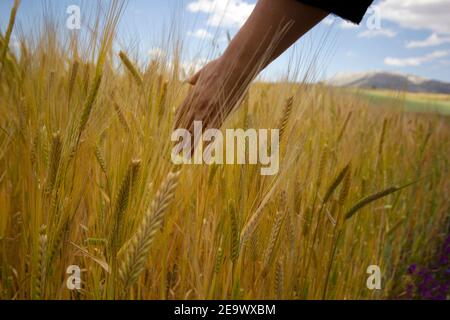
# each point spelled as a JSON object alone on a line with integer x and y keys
{"x": 224, "y": 13}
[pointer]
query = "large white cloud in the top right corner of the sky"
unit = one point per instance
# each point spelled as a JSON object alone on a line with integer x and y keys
{"x": 417, "y": 14}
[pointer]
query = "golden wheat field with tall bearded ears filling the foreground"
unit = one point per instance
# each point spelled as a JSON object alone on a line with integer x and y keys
{"x": 86, "y": 179}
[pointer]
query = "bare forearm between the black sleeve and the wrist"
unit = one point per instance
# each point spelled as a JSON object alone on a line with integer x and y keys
{"x": 273, "y": 27}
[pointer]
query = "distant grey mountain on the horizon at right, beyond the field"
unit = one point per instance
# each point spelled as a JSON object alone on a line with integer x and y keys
{"x": 389, "y": 80}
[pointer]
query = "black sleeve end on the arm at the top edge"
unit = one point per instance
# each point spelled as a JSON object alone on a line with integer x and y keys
{"x": 352, "y": 10}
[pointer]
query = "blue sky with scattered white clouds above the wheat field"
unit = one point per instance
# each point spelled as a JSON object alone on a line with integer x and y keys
{"x": 407, "y": 36}
